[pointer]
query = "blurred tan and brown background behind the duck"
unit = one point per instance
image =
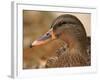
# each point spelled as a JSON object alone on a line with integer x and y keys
{"x": 35, "y": 24}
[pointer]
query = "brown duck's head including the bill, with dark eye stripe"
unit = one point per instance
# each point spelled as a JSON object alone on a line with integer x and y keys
{"x": 67, "y": 28}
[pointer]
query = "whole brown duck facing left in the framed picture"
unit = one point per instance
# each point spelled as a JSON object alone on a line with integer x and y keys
{"x": 69, "y": 29}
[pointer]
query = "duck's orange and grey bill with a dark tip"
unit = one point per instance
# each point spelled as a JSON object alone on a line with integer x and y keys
{"x": 48, "y": 36}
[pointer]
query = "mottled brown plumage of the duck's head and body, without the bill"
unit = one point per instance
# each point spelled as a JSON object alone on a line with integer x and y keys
{"x": 77, "y": 56}
